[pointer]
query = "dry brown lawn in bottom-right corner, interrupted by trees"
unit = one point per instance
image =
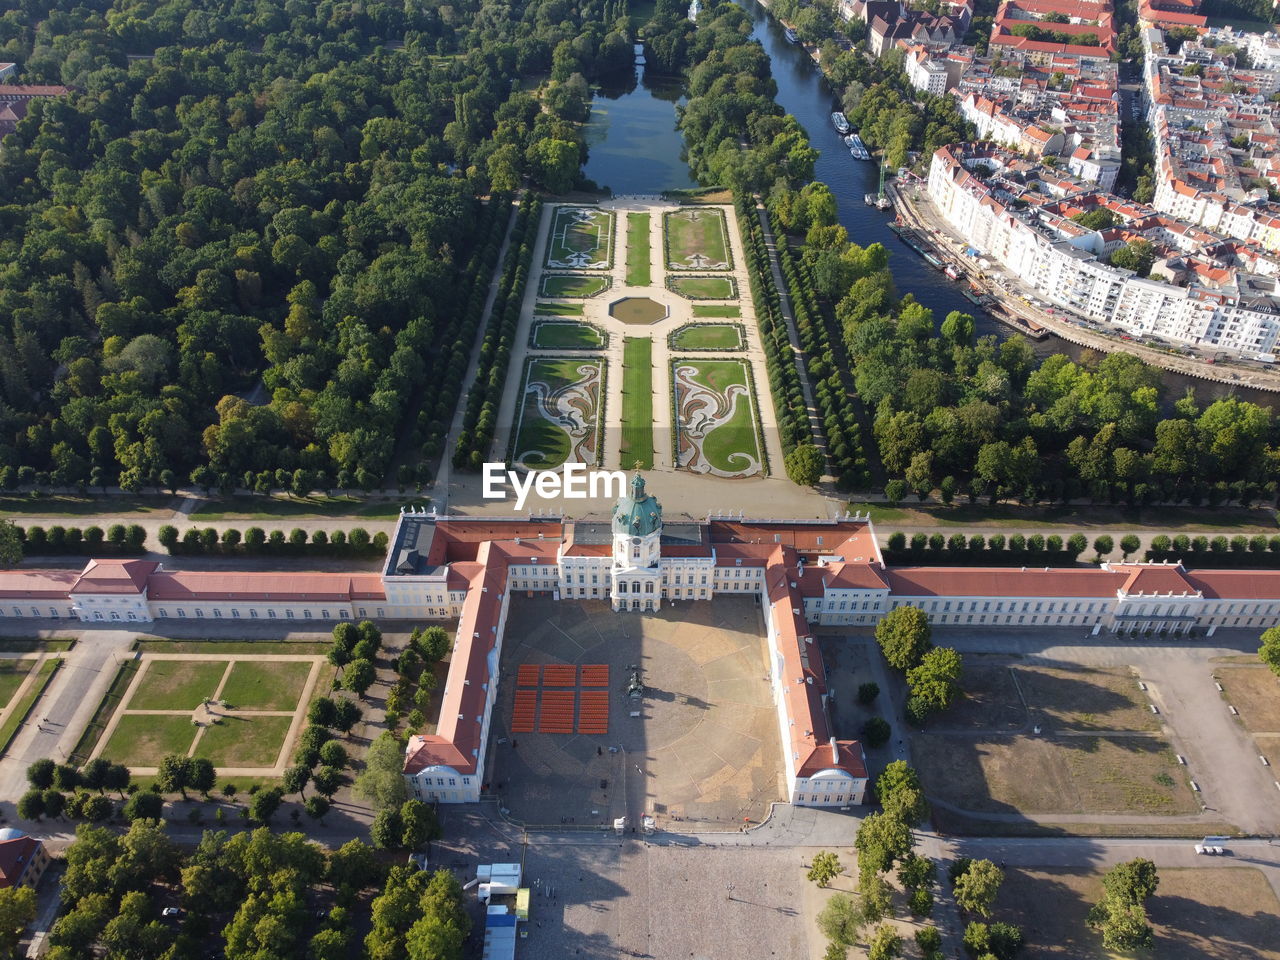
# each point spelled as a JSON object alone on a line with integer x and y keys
{"x": 1197, "y": 915}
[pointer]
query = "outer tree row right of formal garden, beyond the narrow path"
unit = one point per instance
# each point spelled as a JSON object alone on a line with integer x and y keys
{"x": 835, "y": 399}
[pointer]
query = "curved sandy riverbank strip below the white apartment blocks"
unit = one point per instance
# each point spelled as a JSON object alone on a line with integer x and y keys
{"x": 916, "y": 208}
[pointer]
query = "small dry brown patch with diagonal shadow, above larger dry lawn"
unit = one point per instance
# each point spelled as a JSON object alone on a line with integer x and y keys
{"x": 1084, "y": 698}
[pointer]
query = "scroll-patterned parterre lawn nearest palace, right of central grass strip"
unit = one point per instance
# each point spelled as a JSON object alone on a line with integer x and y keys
{"x": 716, "y": 418}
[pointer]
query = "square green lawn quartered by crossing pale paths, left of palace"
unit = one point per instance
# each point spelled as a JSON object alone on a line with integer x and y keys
{"x": 241, "y": 712}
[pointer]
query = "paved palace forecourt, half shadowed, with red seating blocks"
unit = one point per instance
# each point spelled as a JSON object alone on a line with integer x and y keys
{"x": 701, "y": 747}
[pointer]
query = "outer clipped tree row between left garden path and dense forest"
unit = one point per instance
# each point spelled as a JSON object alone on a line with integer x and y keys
{"x": 444, "y": 387}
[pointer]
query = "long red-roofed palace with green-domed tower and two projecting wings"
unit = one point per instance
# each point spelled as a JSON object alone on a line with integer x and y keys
{"x": 806, "y": 574}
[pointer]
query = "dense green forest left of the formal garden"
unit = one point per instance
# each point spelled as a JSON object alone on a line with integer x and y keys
{"x": 246, "y": 241}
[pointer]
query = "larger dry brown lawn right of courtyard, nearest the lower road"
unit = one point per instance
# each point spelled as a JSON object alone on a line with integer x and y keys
{"x": 1041, "y": 775}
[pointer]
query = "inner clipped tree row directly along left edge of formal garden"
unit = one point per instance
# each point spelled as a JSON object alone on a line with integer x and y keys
{"x": 486, "y": 396}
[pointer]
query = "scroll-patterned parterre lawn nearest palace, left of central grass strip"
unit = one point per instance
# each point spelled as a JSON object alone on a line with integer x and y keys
{"x": 559, "y": 419}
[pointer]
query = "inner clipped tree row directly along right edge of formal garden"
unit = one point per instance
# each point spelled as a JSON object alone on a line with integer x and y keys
{"x": 784, "y": 381}
